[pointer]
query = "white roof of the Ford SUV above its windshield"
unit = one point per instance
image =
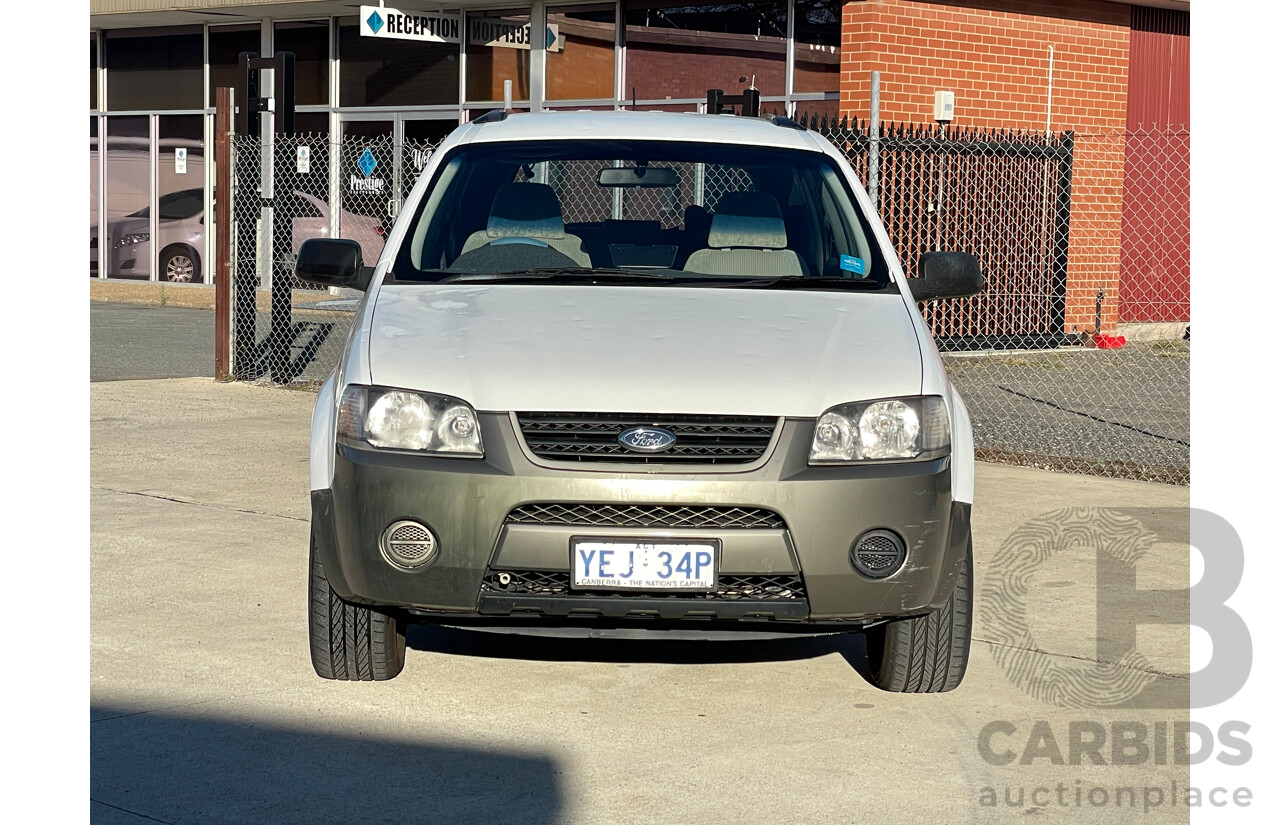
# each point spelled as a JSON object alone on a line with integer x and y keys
{"x": 639, "y": 126}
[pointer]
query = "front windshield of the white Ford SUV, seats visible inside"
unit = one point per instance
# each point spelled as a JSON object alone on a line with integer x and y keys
{"x": 641, "y": 212}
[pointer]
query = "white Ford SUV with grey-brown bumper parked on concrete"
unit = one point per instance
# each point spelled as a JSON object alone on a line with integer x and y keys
{"x": 642, "y": 374}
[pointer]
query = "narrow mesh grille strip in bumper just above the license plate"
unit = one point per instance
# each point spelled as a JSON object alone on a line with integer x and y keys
{"x": 670, "y": 516}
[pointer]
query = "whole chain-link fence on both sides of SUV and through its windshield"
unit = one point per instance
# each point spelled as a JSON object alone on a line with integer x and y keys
{"x": 1077, "y": 356}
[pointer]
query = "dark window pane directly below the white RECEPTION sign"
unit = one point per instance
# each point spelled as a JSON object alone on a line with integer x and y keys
{"x": 381, "y": 72}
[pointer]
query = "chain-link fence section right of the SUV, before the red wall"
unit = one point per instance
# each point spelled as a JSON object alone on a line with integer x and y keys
{"x": 1077, "y": 356}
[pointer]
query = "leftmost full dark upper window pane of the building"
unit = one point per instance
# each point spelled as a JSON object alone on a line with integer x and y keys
{"x": 156, "y": 68}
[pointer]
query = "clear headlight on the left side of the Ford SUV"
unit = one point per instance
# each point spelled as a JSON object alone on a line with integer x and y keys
{"x": 403, "y": 420}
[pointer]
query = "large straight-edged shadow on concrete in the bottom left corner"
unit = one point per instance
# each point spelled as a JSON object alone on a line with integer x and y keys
{"x": 198, "y": 767}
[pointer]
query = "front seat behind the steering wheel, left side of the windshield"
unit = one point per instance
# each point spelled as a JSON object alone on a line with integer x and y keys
{"x": 528, "y": 213}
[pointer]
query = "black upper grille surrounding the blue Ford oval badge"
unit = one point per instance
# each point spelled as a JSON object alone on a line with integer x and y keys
{"x": 700, "y": 439}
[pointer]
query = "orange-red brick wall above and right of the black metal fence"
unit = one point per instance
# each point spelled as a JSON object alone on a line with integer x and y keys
{"x": 995, "y": 57}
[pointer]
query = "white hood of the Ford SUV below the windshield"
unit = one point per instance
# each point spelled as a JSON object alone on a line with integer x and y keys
{"x": 655, "y": 350}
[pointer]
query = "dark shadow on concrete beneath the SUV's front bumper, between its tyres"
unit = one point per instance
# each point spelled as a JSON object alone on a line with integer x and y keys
{"x": 470, "y": 643}
